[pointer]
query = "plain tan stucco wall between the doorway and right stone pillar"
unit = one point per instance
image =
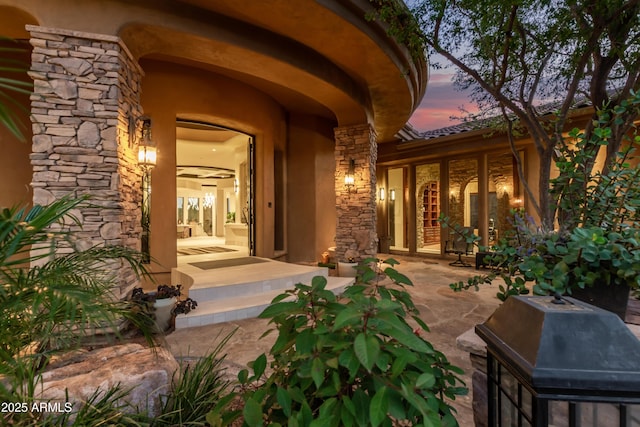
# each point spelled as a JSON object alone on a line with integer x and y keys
{"x": 311, "y": 209}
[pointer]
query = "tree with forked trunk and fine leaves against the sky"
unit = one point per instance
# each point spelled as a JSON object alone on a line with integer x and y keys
{"x": 531, "y": 63}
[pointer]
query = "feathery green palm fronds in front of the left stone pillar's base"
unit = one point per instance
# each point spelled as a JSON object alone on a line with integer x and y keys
{"x": 54, "y": 305}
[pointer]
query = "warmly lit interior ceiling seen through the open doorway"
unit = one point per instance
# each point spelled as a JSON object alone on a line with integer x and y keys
{"x": 207, "y": 153}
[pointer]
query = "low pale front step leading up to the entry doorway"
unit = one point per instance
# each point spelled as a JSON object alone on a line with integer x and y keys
{"x": 234, "y": 308}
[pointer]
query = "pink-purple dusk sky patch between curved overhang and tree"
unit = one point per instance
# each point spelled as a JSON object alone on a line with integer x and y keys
{"x": 440, "y": 102}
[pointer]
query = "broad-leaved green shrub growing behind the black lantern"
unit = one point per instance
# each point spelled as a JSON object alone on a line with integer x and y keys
{"x": 598, "y": 241}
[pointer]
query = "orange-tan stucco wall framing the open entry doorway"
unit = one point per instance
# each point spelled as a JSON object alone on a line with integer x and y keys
{"x": 171, "y": 91}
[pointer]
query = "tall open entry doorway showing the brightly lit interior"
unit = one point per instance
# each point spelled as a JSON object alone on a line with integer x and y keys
{"x": 215, "y": 190}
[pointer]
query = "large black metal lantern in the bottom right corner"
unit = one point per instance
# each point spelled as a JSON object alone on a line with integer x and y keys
{"x": 560, "y": 362}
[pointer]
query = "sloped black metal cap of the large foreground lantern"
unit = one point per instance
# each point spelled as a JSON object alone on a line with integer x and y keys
{"x": 571, "y": 348}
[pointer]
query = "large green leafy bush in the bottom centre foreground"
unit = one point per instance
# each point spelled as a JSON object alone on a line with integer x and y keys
{"x": 348, "y": 360}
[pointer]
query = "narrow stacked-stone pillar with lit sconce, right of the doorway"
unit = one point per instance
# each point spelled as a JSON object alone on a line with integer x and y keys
{"x": 356, "y": 210}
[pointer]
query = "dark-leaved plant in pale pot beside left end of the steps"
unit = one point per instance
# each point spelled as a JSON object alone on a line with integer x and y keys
{"x": 166, "y": 303}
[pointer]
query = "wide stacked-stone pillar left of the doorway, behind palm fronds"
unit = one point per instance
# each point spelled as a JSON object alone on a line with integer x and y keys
{"x": 86, "y": 94}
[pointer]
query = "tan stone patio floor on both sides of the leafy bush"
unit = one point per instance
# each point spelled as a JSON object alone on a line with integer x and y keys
{"x": 448, "y": 314}
